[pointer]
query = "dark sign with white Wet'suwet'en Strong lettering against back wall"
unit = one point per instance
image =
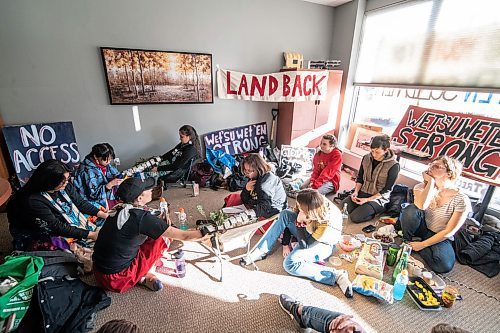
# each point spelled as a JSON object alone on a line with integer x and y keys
{"x": 238, "y": 140}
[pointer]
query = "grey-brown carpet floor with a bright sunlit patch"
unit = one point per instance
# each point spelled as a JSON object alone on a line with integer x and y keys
{"x": 247, "y": 300}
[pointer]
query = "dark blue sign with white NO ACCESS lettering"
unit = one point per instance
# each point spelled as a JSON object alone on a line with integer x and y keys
{"x": 30, "y": 145}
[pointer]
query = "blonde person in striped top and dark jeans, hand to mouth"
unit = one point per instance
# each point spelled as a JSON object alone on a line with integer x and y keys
{"x": 439, "y": 210}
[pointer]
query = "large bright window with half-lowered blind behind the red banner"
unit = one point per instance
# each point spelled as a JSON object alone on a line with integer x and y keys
{"x": 437, "y": 54}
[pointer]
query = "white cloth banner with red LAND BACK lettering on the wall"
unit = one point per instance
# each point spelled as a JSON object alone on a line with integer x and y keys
{"x": 293, "y": 86}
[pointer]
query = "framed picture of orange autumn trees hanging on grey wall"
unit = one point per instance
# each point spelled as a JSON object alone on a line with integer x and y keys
{"x": 155, "y": 77}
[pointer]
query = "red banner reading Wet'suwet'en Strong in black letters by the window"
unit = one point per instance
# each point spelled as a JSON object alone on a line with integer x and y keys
{"x": 474, "y": 140}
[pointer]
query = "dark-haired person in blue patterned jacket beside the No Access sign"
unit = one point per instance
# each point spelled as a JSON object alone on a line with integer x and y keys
{"x": 96, "y": 179}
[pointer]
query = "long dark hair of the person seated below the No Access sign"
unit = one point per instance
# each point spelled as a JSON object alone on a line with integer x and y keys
{"x": 46, "y": 177}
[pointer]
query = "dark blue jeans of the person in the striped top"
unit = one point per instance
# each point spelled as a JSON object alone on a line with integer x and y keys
{"x": 439, "y": 257}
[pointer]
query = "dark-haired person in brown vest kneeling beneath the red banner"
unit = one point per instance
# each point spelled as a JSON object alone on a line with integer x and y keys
{"x": 376, "y": 177}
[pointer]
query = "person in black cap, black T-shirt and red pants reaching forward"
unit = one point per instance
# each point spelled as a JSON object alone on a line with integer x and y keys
{"x": 133, "y": 239}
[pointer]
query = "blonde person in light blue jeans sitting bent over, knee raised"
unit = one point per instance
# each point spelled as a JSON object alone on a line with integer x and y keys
{"x": 317, "y": 224}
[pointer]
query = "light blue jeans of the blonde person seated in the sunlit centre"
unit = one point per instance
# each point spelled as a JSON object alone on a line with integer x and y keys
{"x": 300, "y": 262}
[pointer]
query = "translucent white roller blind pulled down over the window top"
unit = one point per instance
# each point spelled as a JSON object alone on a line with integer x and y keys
{"x": 445, "y": 43}
